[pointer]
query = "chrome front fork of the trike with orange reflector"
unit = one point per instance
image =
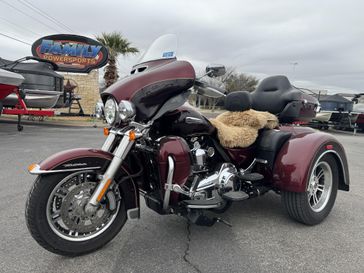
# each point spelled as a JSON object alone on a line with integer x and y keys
{"x": 119, "y": 155}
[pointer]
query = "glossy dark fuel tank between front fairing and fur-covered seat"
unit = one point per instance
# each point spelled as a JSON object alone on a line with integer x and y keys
{"x": 185, "y": 122}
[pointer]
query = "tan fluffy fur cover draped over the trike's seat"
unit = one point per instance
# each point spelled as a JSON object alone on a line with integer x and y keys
{"x": 240, "y": 129}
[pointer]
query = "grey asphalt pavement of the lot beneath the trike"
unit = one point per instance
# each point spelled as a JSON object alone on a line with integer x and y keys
{"x": 262, "y": 238}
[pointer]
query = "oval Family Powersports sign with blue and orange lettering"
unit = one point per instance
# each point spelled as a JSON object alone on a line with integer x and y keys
{"x": 72, "y": 53}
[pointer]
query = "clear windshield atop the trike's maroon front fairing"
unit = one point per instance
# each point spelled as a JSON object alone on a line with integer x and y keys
{"x": 164, "y": 47}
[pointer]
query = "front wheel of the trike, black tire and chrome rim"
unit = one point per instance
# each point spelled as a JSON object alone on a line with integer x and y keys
{"x": 56, "y": 218}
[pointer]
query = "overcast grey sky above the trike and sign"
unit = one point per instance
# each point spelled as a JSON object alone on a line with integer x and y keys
{"x": 317, "y": 44}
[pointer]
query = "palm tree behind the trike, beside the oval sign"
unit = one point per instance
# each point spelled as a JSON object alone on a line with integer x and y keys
{"x": 116, "y": 44}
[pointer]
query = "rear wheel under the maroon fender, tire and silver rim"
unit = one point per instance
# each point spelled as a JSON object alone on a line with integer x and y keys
{"x": 312, "y": 206}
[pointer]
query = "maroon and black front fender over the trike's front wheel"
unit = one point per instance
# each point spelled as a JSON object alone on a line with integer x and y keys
{"x": 91, "y": 159}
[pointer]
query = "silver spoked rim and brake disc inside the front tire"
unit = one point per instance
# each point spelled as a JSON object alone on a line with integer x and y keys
{"x": 65, "y": 208}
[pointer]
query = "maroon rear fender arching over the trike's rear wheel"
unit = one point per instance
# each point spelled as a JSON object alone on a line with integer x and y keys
{"x": 298, "y": 155}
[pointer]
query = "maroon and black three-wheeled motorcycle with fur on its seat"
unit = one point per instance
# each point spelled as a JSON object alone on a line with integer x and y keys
{"x": 160, "y": 149}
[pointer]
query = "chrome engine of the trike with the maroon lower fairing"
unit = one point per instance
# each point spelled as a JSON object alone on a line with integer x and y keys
{"x": 200, "y": 172}
